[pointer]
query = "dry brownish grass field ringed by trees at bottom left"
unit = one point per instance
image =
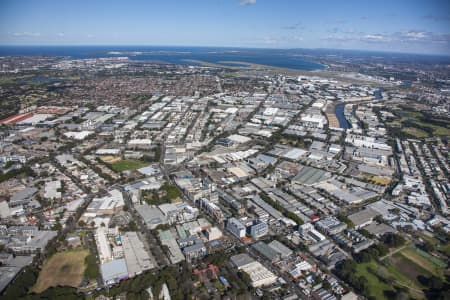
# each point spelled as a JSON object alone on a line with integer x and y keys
{"x": 64, "y": 268}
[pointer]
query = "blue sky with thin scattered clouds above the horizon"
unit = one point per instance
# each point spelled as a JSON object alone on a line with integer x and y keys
{"x": 410, "y": 26}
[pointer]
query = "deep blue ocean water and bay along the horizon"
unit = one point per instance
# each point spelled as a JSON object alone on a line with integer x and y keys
{"x": 174, "y": 55}
